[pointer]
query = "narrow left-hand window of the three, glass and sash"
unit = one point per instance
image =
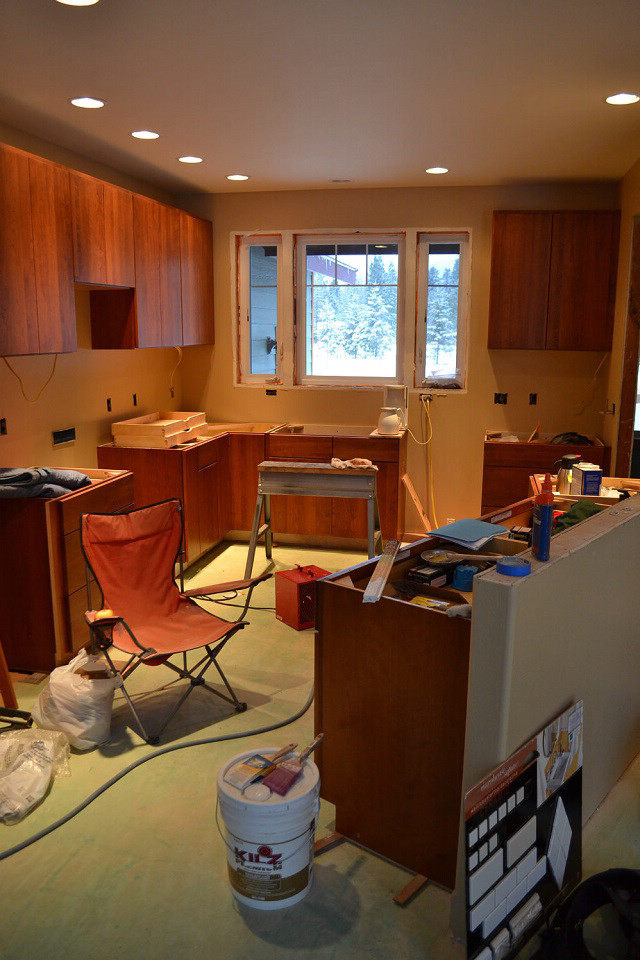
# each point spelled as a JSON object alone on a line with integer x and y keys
{"x": 259, "y": 308}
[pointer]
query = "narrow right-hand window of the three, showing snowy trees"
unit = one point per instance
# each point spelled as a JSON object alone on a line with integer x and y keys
{"x": 443, "y": 303}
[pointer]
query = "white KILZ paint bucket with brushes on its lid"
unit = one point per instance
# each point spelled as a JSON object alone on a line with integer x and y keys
{"x": 269, "y": 839}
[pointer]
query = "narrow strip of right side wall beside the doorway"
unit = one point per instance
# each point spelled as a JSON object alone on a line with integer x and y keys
{"x": 630, "y": 208}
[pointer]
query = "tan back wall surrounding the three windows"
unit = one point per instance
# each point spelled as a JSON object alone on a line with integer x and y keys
{"x": 563, "y": 381}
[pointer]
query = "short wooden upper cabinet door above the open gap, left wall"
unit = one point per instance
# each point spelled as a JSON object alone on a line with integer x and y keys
{"x": 102, "y": 232}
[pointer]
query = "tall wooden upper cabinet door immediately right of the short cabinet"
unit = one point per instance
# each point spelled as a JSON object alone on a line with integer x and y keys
{"x": 157, "y": 258}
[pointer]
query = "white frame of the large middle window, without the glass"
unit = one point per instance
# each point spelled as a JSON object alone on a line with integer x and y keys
{"x": 300, "y": 313}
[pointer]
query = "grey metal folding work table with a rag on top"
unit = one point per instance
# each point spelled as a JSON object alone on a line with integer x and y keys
{"x": 311, "y": 480}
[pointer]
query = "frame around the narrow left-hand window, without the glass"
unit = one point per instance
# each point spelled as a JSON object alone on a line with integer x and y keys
{"x": 244, "y": 242}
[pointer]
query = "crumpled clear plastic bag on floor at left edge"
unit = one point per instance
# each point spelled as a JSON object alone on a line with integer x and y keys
{"x": 28, "y": 761}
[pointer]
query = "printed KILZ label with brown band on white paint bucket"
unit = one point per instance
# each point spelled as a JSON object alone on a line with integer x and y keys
{"x": 271, "y": 872}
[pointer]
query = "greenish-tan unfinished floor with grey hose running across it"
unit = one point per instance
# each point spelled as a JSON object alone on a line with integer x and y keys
{"x": 142, "y": 871}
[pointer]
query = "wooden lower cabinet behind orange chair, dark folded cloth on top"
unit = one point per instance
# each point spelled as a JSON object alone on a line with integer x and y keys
{"x": 42, "y": 573}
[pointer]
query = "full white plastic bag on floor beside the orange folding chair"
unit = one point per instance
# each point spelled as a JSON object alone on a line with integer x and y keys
{"x": 79, "y": 706}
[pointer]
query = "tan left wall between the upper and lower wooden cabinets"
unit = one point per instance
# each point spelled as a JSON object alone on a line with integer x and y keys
{"x": 76, "y": 397}
